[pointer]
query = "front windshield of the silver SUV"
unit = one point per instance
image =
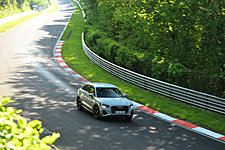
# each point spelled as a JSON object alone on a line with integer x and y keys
{"x": 108, "y": 92}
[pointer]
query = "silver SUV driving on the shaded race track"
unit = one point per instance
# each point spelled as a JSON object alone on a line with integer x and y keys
{"x": 104, "y": 100}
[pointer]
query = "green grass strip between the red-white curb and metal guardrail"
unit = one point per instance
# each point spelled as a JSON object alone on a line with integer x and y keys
{"x": 73, "y": 55}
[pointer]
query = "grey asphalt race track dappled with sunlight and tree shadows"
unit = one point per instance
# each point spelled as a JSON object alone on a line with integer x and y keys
{"x": 29, "y": 74}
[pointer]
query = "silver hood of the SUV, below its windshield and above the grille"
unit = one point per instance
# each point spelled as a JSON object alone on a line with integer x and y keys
{"x": 114, "y": 101}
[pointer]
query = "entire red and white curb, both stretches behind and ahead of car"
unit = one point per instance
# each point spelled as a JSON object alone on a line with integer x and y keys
{"x": 184, "y": 124}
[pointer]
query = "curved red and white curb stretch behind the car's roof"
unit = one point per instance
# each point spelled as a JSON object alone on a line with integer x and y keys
{"x": 58, "y": 57}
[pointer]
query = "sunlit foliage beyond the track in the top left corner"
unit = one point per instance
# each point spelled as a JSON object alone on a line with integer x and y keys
{"x": 10, "y": 7}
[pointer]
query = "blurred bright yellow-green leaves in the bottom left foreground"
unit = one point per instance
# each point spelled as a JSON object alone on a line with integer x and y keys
{"x": 17, "y": 133}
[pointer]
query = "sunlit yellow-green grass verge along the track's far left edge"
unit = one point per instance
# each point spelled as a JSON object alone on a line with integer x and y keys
{"x": 9, "y": 25}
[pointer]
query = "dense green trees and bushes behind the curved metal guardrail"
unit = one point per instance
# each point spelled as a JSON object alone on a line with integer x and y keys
{"x": 178, "y": 41}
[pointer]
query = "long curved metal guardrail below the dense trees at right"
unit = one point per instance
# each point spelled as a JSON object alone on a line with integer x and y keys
{"x": 192, "y": 97}
